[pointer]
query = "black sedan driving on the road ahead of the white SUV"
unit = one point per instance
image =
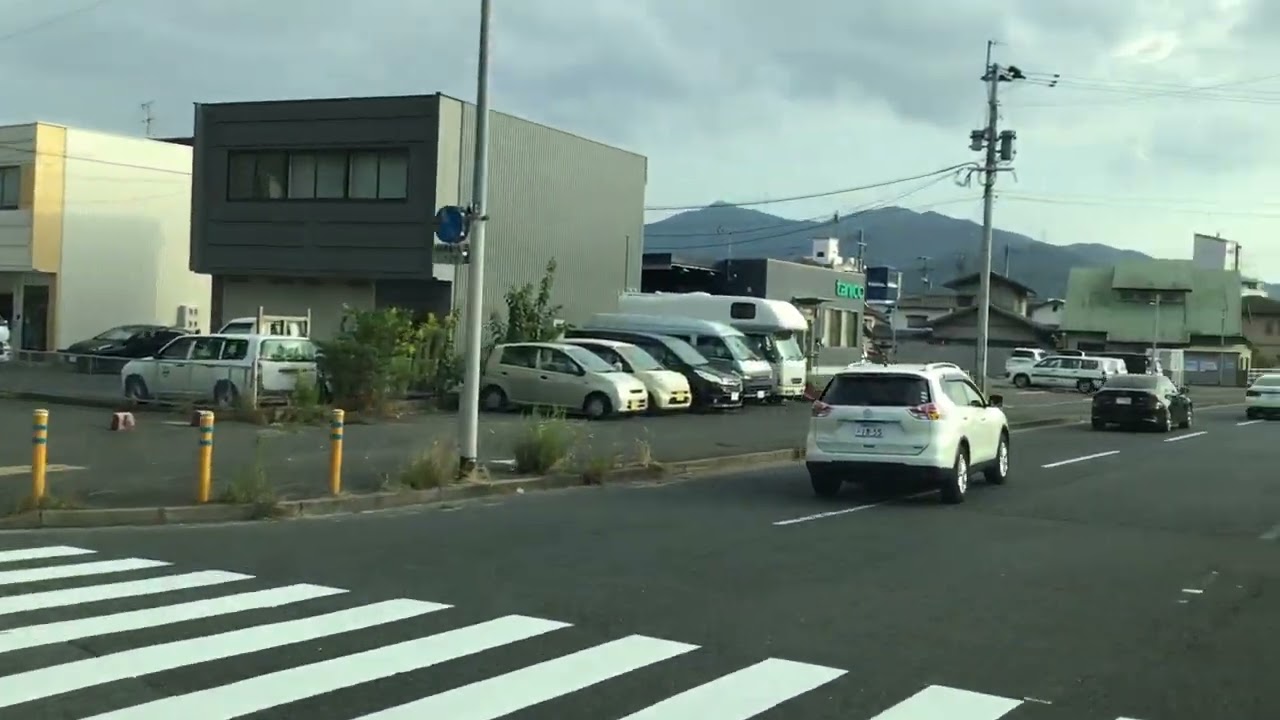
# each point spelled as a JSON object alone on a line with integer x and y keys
{"x": 1142, "y": 402}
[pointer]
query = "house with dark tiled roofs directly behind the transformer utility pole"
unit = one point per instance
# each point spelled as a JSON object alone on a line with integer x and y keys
{"x": 1009, "y": 327}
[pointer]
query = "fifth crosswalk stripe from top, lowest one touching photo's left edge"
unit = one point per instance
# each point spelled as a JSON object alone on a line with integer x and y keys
{"x": 70, "y": 677}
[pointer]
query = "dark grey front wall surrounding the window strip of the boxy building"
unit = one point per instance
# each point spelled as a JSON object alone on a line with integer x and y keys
{"x": 322, "y": 238}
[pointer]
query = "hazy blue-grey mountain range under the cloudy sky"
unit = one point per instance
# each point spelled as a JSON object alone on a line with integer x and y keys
{"x": 929, "y": 248}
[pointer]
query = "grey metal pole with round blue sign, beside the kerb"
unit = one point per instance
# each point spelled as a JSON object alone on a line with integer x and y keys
{"x": 469, "y": 414}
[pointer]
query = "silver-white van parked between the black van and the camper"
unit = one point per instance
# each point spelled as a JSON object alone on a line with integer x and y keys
{"x": 724, "y": 347}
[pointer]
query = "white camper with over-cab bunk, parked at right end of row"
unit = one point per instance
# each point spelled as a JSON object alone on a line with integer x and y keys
{"x": 772, "y": 327}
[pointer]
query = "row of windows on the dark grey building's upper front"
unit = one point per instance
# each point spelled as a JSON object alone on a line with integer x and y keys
{"x": 318, "y": 175}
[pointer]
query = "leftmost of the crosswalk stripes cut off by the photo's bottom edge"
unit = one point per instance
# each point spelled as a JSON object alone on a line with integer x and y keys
{"x": 264, "y": 692}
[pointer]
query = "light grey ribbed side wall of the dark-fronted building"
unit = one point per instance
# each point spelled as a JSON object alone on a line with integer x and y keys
{"x": 552, "y": 195}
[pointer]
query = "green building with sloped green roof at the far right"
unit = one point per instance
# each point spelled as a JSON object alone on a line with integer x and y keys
{"x": 1173, "y": 304}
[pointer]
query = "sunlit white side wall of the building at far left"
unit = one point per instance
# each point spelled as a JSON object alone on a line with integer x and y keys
{"x": 126, "y": 236}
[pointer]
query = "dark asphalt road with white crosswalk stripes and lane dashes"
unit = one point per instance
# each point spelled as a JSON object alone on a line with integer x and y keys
{"x": 1117, "y": 576}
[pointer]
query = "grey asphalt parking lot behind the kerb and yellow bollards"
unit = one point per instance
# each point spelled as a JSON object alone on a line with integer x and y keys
{"x": 156, "y": 463}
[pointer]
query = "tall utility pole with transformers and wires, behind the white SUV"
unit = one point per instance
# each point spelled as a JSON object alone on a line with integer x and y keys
{"x": 999, "y": 149}
